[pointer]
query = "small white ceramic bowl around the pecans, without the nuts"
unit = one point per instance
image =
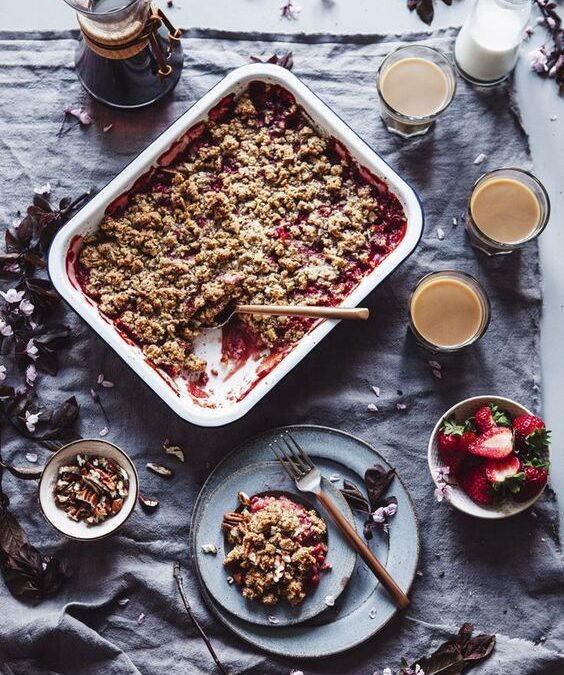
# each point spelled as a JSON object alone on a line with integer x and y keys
{"x": 58, "y": 518}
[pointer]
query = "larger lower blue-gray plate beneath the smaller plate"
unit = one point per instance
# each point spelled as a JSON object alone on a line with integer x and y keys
{"x": 364, "y": 607}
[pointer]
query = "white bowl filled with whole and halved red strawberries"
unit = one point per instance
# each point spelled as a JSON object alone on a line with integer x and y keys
{"x": 489, "y": 457}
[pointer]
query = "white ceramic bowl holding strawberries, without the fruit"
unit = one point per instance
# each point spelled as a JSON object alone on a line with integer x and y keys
{"x": 458, "y": 498}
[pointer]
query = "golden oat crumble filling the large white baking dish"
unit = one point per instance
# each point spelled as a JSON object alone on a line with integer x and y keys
{"x": 259, "y": 209}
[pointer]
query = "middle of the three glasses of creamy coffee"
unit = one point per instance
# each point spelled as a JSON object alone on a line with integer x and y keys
{"x": 507, "y": 208}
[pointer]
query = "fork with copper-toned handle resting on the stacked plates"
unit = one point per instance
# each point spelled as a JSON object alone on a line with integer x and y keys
{"x": 307, "y": 478}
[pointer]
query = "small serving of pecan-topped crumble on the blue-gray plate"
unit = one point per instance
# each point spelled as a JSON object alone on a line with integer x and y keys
{"x": 279, "y": 550}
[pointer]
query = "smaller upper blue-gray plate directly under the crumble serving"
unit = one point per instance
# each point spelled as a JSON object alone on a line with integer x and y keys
{"x": 253, "y": 479}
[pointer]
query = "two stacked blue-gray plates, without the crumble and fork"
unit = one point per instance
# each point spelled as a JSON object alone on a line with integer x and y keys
{"x": 349, "y": 605}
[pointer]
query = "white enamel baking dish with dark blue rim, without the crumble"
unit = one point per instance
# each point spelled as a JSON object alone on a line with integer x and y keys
{"x": 231, "y": 399}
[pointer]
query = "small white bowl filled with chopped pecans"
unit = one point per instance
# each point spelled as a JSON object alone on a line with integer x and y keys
{"x": 88, "y": 489}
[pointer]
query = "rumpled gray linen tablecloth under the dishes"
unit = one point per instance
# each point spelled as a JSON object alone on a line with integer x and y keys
{"x": 505, "y": 577}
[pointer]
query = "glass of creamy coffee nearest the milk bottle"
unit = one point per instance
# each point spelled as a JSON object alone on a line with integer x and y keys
{"x": 415, "y": 85}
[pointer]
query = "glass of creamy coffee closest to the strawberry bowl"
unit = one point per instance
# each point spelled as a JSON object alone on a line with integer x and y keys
{"x": 448, "y": 311}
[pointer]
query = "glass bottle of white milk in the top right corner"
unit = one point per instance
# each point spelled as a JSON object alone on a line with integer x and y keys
{"x": 487, "y": 46}
